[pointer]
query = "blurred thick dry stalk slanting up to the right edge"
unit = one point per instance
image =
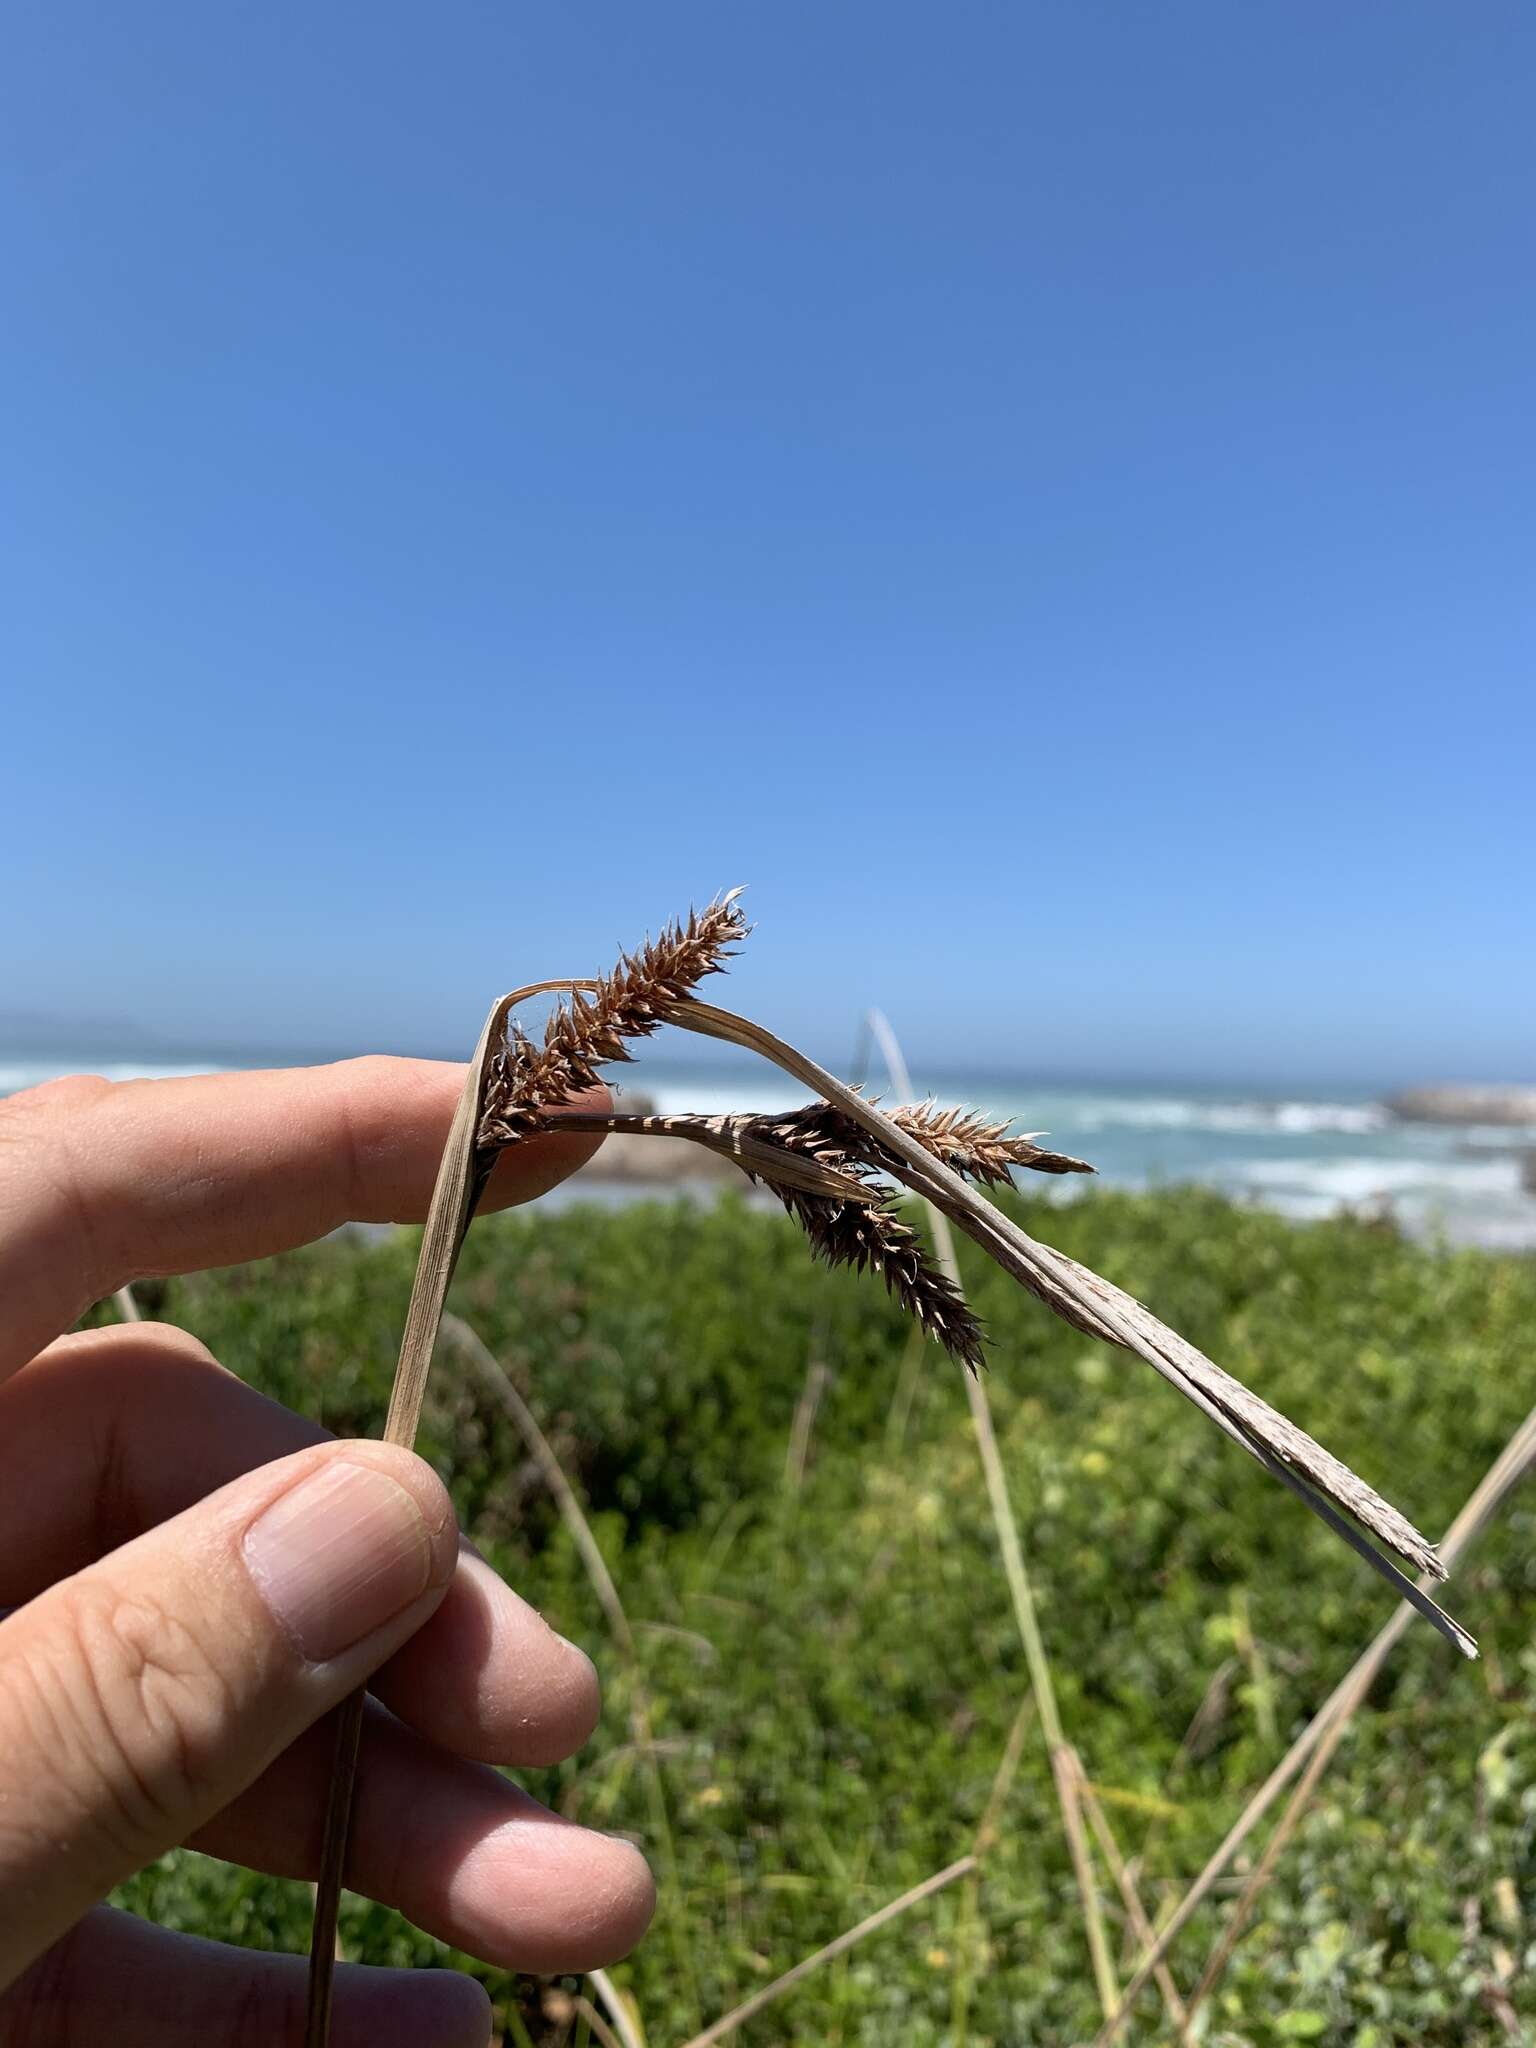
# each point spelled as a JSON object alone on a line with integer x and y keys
{"x": 1334, "y": 1715}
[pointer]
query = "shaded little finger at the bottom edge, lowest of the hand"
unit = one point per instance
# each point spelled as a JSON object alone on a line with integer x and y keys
{"x": 114, "y": 1979}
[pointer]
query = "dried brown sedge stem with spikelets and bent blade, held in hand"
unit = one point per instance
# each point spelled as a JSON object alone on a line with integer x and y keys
{"x": 837, "y": 1166}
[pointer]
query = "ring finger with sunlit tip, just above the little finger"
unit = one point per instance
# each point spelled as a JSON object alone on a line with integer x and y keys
{"x": 452, "y": 1846}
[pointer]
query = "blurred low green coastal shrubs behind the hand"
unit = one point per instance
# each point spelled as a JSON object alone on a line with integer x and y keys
{"x": 824, "y": 1641}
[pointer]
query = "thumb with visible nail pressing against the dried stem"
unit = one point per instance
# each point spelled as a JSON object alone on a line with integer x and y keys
{"x": 142, "y": 1695}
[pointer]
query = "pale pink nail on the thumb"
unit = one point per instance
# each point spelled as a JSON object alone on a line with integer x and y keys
{"x": 339, "y": 1555}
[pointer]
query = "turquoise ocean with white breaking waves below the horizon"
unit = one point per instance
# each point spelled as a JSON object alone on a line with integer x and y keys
{"x": 1293, "y": 1152}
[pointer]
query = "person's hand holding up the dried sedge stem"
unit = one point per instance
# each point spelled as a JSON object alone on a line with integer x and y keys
{"x": 200, "y": 1576}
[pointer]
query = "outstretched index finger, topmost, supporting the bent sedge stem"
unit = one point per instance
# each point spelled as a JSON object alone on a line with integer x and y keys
{"x": 110, "y": 1181}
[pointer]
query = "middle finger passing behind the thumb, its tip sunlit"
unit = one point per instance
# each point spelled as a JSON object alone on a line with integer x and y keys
{"x": 114, "y": 1433}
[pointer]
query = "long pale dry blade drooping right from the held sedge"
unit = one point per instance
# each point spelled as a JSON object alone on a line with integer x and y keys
{"x": 1105, "y": 1312}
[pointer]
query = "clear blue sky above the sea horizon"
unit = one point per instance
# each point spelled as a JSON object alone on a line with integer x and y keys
{"x": 1048, "y": 495}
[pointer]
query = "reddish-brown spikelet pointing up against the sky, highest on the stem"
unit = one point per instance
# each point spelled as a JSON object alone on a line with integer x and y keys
{"x": 589, "y": 1031}
